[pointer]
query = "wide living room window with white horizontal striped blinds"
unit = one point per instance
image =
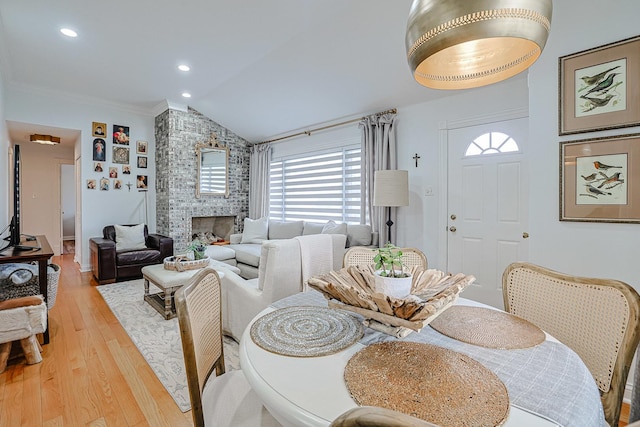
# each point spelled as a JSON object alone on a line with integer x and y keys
{"x": 317, "y": 187}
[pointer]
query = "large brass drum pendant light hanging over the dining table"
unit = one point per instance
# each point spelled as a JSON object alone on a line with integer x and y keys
{"x": 462, "y": 44}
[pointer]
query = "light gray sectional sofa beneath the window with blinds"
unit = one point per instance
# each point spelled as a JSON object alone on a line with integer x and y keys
{"x": 246, "y": 246}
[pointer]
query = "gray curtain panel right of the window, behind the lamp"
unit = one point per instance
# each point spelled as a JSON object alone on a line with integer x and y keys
{"x": 378, "y": 153}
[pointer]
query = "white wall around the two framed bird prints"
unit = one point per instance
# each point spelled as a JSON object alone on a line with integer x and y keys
{"x": 587, "y": 249}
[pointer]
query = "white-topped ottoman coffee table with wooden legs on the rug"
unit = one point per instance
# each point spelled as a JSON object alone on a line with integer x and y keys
{"x": 168, "y": 281}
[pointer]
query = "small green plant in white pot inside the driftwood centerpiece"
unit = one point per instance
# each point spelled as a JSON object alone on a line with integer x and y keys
{"x": 391, "y": 278}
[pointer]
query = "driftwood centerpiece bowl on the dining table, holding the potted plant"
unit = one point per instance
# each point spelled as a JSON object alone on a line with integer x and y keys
{"x": 353, "y": 289}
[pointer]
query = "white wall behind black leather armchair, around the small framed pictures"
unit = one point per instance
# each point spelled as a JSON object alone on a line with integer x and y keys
{"x": 99, "y": 208}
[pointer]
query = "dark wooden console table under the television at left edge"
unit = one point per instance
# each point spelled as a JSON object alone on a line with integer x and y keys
{"x": 41, "y": 253}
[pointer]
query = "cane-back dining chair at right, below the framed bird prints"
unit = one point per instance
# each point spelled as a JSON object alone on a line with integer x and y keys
{"x": 599, "y": 319}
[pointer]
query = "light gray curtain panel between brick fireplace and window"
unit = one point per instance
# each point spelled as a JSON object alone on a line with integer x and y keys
{"x": 259, "y": 180}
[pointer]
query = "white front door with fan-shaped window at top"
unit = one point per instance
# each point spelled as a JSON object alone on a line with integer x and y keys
{"x": 487, "y": 204}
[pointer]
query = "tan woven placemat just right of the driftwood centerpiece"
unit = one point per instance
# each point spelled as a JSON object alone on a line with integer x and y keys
{"x": 487, "y": 328}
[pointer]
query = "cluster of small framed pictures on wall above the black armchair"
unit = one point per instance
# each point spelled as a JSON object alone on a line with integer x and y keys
{"x": 119, "y": 173}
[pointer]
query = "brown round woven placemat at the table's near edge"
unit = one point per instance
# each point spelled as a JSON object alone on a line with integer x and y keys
{"x": 428, "y": 382}
